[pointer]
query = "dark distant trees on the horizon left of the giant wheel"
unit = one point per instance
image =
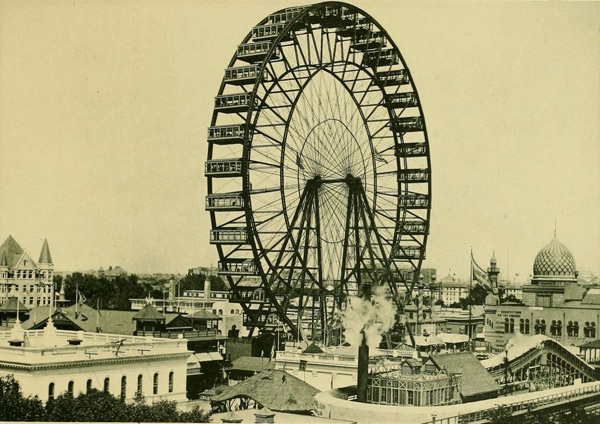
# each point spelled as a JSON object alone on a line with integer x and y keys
{"x": 114, "y": 293}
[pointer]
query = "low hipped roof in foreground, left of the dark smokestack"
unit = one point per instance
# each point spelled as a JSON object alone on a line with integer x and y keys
{"x": 274, "y": 389}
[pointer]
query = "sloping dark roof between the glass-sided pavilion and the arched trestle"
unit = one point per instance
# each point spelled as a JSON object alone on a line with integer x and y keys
{"x": 475, "y": 379}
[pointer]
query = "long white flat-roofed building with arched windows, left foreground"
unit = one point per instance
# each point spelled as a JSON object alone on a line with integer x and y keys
{"x": 49, "y": 362}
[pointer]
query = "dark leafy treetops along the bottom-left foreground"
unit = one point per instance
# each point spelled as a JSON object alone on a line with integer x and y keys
{"x": 92, "y": 406}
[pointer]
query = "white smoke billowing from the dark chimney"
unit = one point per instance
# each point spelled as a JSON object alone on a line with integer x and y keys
{"x": 374, "y": 317}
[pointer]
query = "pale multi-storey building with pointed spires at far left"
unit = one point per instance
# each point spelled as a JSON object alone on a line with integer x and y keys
{"x": 24, "y": 279}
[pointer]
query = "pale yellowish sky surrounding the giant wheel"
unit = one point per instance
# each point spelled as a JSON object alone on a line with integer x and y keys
{"x": 104, "y": 107}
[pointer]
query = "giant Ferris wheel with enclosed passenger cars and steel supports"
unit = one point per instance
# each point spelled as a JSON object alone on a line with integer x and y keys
{"x": 318, "y": 168}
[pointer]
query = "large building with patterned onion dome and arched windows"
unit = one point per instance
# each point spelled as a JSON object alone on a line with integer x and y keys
{"x": 554, "y": 304}
